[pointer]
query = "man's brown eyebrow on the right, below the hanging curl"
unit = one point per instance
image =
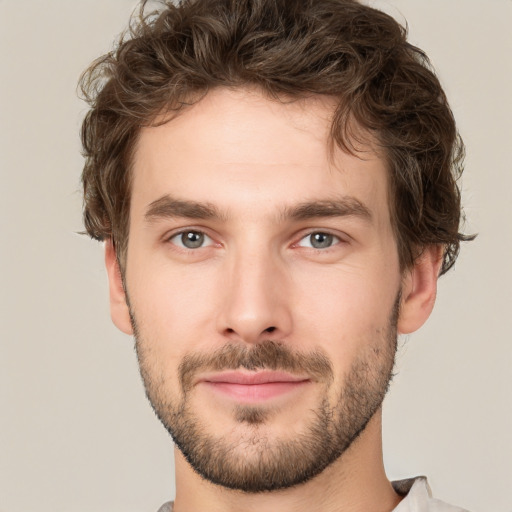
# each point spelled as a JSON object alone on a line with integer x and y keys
{"x": 343, "y": 207}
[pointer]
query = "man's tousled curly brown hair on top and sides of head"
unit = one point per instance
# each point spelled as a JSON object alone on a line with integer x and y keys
{"x": 170, "y": 58}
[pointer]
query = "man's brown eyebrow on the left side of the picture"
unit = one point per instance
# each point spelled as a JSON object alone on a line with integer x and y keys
{"x": 168, "y": 207}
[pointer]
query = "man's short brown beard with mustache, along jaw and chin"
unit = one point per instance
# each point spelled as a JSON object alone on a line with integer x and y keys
{"x": 248, "y": 458}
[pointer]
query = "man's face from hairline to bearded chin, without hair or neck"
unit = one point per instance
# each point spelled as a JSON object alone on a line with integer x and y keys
{"x": 263, "y": 285}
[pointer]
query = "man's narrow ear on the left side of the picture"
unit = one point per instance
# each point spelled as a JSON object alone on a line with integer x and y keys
{"x": 119, "y": 310}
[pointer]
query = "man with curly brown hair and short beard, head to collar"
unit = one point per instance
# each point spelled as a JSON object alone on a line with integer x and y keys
{"x": 276, "y": 185}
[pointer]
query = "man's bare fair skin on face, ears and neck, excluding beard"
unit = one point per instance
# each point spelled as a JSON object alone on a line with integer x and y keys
{"x": 254, "y": 160}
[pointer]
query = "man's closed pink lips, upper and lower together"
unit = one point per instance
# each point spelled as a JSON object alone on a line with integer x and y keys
{"x": 253, "y": 387}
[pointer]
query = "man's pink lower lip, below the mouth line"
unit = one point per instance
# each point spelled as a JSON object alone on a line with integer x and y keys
{"x": 252, "y": 393}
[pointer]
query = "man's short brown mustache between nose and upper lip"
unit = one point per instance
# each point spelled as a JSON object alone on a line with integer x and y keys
{"x": 267, "y": 355}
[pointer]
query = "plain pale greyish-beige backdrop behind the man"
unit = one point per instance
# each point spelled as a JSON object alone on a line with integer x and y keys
{"x": 76, "y": 433}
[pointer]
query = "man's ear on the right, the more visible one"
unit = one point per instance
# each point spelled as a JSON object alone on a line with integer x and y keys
{"x": 419, "y": 289}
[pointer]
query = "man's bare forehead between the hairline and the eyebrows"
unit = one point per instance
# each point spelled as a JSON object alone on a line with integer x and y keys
{"x": 238, "y": 149}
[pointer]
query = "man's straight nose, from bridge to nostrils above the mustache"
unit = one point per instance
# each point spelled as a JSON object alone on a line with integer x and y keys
{"x": 255, "y": 298}
